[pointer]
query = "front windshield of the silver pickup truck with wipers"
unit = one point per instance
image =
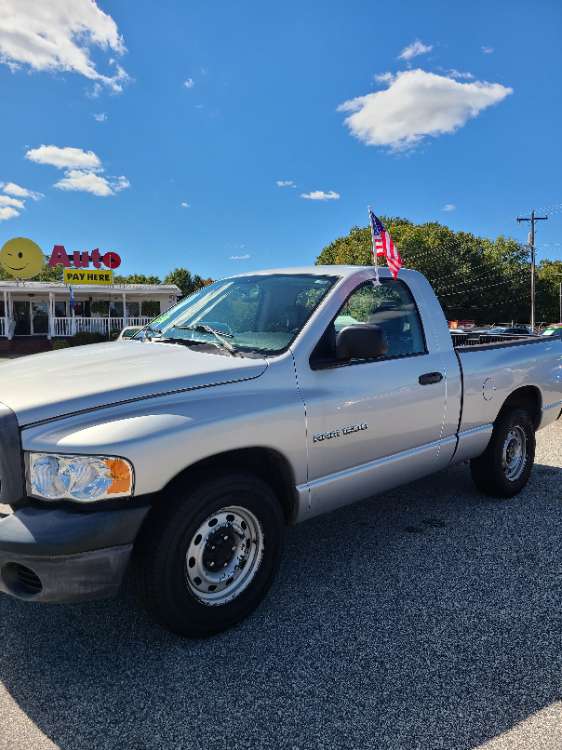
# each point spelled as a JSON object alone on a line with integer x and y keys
{"x": 251, "y": 313}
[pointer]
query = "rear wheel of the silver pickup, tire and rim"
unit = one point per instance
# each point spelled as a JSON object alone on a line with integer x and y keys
{"x": 504, "y": 468}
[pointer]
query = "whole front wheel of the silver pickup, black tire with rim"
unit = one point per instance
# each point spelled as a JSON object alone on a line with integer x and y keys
{"x": 209, "y": 556}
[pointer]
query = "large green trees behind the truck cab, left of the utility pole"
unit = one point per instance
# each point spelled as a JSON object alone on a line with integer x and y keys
{"x": 474, "y": 277}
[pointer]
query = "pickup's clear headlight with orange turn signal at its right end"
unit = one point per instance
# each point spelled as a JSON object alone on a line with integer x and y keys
{"x": 84, "y": 479}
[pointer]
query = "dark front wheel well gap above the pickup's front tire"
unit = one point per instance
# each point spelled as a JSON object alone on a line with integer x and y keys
{"x": 268, "y": 464}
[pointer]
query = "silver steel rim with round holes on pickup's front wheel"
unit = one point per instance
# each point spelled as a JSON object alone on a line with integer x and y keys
{"x": 224, "y": 555}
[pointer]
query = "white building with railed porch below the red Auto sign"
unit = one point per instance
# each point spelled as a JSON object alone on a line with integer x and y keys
{"x": 51, "y": 309}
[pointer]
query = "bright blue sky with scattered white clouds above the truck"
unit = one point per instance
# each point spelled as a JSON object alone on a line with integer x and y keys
{"x": 264, "y": 84}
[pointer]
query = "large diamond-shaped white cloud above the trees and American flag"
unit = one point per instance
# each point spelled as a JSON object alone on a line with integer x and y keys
{"x": 417, "y": 104}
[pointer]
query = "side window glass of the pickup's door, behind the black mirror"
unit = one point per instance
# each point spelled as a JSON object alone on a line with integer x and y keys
{"x": 388, "y": 305}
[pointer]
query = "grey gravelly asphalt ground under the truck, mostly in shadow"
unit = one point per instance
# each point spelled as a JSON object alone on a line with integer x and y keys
{"x": 427, "y": 618}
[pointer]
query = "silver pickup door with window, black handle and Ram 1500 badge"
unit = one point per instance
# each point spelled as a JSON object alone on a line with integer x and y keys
{"x": 374, "y": 424}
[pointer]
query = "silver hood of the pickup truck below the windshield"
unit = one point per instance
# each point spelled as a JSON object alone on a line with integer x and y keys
{"x": 54, "y": 384}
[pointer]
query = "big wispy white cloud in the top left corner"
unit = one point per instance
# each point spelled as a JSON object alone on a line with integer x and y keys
{"x": 59, "y": 35}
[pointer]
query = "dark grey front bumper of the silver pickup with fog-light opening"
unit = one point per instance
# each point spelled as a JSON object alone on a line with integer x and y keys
{"x": 53, "y": 555}
